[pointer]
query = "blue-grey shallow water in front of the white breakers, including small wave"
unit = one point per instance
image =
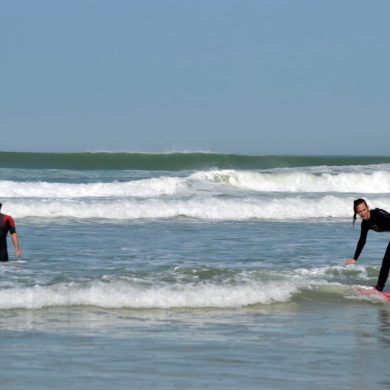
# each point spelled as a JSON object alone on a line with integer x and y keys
{"x": 69, "y": 317}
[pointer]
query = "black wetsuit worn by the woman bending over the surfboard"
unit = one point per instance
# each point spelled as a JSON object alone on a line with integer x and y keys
{"x": 380, "y": 222}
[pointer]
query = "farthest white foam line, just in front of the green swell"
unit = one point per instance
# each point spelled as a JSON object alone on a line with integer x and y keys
{"x": 286, "y": 181}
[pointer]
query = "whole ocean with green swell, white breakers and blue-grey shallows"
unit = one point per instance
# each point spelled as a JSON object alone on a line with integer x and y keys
{"x": 191, "y": 271}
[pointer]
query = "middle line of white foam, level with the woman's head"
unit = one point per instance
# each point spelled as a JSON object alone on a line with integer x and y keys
{"x": 207, "y": 208}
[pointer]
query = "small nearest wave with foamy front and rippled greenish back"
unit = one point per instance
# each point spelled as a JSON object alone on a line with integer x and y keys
{"x": 206, "y": 288}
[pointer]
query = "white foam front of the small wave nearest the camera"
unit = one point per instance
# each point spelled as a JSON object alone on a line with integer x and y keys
{"x": 121, "y": 294}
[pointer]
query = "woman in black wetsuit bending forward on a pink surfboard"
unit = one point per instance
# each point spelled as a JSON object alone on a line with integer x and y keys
{"x": 379, "y": 221}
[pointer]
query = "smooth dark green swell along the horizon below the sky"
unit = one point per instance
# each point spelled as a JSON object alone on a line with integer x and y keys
{"x": 173, "y": 161}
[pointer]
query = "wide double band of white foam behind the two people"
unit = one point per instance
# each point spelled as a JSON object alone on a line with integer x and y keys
{"x": 286, "y": 194}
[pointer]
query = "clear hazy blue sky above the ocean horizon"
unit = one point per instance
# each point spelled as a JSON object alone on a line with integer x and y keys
{"x": 259, "y": 77}
